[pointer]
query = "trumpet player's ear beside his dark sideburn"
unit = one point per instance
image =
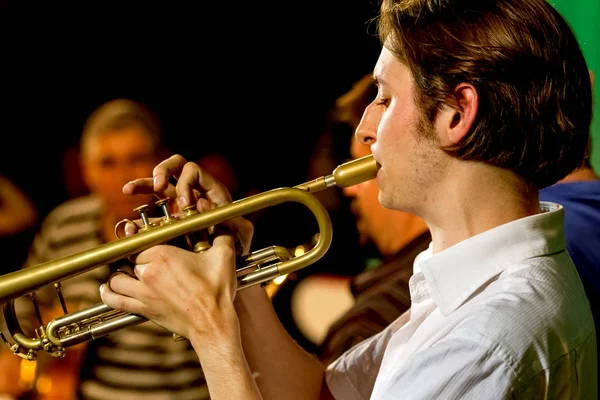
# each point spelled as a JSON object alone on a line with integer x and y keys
{"x": 457, "y": 117}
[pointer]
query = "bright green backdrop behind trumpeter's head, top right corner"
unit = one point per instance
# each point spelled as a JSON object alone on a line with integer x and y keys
{"x": 584, "y": 18}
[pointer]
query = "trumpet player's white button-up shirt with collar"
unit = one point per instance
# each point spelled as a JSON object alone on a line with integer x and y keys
{"x": 500, "y": 315}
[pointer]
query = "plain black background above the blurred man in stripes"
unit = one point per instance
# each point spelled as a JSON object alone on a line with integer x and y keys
{"x": 252, "y": 80}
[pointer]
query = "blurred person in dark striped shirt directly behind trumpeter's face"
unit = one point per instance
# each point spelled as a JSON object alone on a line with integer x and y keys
{"x": 381, "y": 292}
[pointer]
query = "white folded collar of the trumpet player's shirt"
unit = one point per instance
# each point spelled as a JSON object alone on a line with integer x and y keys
{"x": 454, "y": 274}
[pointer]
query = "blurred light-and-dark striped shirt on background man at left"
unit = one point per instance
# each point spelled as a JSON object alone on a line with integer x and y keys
{"x": 138, "y": 362}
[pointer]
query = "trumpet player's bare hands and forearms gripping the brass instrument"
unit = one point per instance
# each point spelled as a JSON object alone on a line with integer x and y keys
{"x": 193, "y": 295}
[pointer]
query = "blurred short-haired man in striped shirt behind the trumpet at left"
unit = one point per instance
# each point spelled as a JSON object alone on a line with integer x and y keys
{"x": 121, "y": 141}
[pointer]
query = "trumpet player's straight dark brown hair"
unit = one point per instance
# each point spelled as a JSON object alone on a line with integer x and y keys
{"x": 533, "y": 84}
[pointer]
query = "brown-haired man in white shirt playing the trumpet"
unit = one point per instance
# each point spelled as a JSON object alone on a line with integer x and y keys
{"x": 480, "y": 104}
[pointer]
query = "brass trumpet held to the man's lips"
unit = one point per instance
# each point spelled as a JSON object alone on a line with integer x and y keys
{"x": 99, "y": 320}
